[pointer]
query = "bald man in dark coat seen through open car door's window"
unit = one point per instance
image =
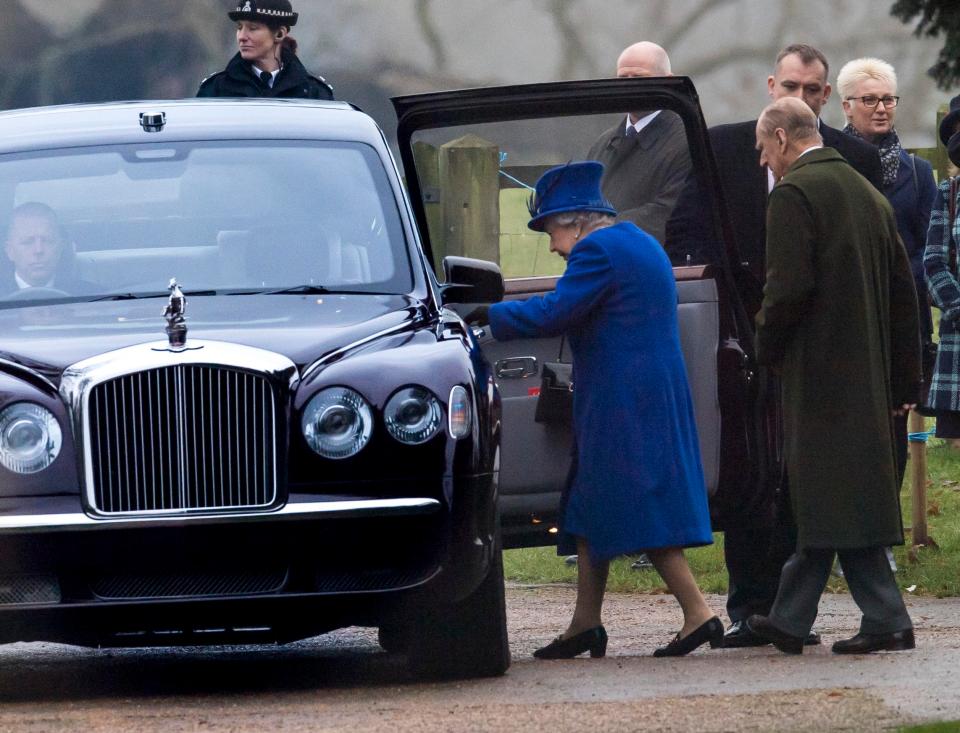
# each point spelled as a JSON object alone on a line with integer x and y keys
{"x": 646, "y": 155}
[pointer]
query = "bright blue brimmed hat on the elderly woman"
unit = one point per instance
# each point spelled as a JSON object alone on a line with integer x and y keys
{"x": 570, "y": 187}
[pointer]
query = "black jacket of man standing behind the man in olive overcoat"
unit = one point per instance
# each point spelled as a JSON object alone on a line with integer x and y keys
{"x": 745, "y": 184}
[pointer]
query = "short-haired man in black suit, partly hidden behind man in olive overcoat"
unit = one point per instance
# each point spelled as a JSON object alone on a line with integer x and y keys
{"x": 757, "y": 546}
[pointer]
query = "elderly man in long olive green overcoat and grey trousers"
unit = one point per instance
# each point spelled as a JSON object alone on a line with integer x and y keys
{"x": 839, "y": 322}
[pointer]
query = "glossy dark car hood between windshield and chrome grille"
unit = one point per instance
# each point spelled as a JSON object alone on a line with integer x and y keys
{"x": 49, "y": 338}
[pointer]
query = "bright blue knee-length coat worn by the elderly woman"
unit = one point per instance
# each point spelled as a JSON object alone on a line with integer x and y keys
{"x": 639, "y": 484}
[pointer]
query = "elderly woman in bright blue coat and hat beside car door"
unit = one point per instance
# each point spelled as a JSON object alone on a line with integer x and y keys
{"x": 637, "y": 483}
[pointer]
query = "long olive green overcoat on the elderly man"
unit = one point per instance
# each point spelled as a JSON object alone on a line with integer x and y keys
{"x": 839, "y": 321}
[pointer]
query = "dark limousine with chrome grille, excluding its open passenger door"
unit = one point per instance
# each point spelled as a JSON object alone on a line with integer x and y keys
{"x": 293, "y": 436}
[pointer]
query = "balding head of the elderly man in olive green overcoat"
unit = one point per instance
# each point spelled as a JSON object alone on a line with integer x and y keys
{"x": 785, "y": 130}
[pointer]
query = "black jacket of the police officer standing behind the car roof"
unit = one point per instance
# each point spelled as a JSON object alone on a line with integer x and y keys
{"x": 240, "y": 80}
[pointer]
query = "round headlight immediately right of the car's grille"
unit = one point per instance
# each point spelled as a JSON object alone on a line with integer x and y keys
{"x": 337, "y": 423}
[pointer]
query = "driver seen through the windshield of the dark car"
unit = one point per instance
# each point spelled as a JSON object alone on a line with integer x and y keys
{"x": 36, "y": 246}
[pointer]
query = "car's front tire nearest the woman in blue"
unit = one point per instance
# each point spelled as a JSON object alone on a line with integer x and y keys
{"x": 465, "y": 639}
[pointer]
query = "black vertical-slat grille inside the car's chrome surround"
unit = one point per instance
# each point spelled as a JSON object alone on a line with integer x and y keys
{"x": 180, "y": 439}
